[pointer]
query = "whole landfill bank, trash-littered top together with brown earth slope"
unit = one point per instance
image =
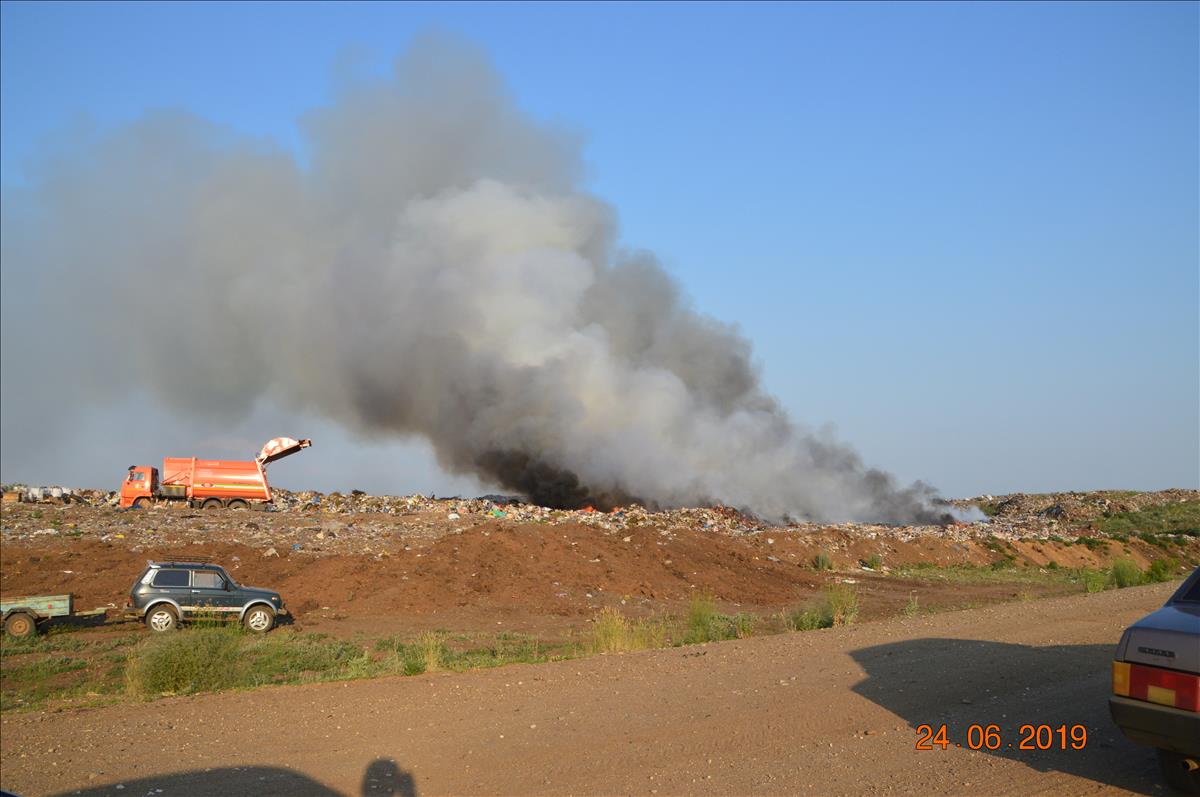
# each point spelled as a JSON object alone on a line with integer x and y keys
{"x": 391, "y": 561}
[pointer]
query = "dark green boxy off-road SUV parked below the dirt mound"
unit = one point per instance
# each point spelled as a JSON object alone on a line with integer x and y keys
{"x": 171, "y": 592}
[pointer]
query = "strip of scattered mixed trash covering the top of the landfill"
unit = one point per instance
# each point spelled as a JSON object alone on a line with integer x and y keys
{"x": 322, "y": 524}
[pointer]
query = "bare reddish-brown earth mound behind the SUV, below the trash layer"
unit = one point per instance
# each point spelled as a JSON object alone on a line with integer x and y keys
{"x": 562, "y": 571}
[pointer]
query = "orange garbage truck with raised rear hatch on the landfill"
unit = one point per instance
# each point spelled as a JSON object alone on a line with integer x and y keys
{"x": 208, "y": 484}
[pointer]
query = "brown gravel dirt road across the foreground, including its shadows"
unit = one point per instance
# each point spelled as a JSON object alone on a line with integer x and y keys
{"x": 832, "y": 712}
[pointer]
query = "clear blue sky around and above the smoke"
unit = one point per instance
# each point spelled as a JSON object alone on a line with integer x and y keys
{"x": 967, "y": 236}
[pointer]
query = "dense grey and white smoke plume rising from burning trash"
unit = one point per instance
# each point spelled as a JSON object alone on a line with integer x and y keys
{"x": 435, "y": 269}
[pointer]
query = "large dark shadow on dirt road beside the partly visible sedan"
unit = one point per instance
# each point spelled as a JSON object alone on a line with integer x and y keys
{"x": 964, "y": 682}
